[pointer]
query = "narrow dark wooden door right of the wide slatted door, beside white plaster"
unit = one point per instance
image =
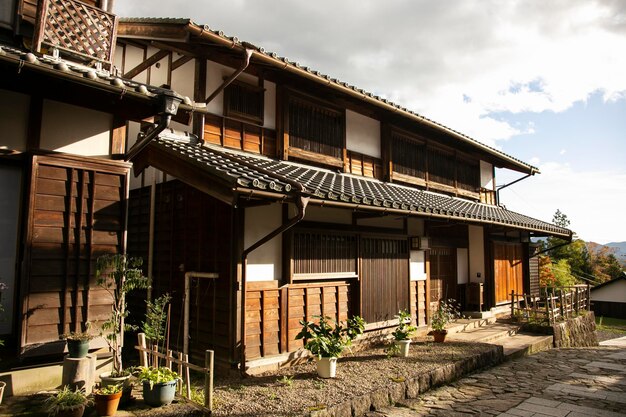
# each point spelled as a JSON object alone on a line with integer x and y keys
{"x": 443, "y": 279}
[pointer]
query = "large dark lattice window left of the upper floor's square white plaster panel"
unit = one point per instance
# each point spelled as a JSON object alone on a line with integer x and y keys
{"x": 315, "y": 128}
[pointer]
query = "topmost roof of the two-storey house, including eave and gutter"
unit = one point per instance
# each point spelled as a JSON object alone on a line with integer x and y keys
{"x": 283, "y": 63}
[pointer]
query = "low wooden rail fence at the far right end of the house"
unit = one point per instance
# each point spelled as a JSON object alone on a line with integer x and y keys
{"x": 552, "y": 305}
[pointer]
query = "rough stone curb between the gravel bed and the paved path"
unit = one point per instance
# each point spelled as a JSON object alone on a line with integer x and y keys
{"x": 411, "y": 388}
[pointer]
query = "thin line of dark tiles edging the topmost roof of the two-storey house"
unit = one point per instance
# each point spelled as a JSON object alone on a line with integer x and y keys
{"x": 235, "y": 41}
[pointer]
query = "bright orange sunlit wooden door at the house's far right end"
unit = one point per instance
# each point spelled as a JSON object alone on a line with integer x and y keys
{"x": 508, "y": 270}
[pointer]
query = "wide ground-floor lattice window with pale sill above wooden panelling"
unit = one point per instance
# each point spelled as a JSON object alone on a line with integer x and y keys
{"x": 323, "y": 255}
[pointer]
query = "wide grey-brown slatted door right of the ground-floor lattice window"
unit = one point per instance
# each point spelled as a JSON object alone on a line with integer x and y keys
{"x": 384, "y": 278}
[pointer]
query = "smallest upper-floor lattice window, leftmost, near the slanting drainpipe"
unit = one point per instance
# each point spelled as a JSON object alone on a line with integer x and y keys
{"x": 244, "y": 101}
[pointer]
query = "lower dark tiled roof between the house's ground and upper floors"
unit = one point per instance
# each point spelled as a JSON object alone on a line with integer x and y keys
{"x": 260, "y": 173}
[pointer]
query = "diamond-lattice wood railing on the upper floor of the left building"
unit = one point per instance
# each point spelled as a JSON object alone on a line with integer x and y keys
{"x": 77, "y": 28}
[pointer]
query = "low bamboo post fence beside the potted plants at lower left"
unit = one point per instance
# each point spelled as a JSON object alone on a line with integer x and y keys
{"x": 152, "y": 357}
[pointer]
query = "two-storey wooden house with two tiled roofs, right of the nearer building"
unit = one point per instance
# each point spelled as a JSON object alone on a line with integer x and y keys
{"x": 304, "y": 195}
